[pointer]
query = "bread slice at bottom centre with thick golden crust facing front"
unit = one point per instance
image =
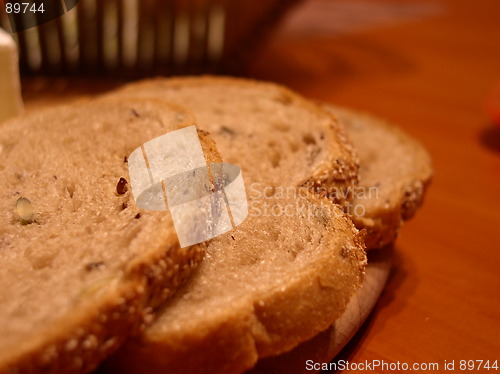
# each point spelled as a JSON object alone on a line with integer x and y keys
{"x": 278, "y": 279}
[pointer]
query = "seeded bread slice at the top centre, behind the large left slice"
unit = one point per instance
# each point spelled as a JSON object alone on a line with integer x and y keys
{"x": 277, "y": 137}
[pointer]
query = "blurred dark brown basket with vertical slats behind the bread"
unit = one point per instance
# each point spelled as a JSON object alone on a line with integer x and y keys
{"x": 147, "y": 37}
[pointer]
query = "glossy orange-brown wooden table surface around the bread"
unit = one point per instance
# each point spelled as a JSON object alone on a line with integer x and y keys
{"x": 429, "y": 66}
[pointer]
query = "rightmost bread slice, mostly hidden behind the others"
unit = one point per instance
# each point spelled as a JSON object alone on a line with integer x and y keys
{"x": 394, "y": 174}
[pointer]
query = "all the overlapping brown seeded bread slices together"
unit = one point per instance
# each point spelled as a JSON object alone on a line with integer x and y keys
{"x": 88, "y": 269}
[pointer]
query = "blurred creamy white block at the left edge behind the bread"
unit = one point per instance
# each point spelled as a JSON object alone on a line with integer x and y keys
{"x": 11, "y": 103}
